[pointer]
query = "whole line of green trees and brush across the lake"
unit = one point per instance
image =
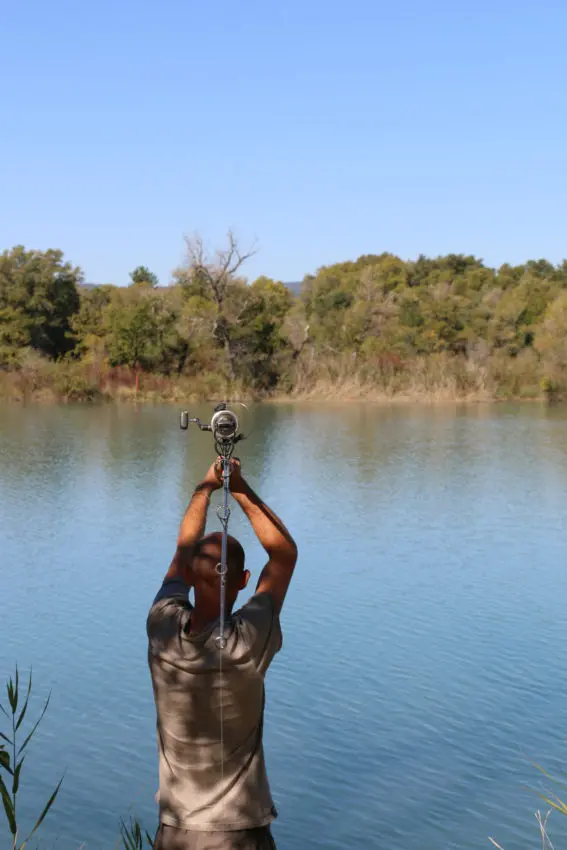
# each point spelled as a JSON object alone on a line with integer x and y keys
{"x": 448, "y": 326}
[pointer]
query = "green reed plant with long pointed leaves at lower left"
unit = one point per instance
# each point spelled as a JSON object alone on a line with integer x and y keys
{"x": 12, "y": 760}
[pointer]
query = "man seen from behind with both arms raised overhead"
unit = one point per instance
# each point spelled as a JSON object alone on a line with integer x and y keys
{"x": 213, "y": 786}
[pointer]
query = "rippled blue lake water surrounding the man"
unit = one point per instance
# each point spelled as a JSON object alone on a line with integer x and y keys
{"x": 425, "y": 653}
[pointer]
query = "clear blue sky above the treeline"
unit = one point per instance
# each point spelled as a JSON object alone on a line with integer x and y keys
{"x": 322, "y": 129}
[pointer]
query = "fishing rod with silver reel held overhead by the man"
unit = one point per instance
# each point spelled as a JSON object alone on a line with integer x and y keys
{"x": 225, "y": 428}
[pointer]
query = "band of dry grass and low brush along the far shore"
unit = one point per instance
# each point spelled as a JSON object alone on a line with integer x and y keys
{"x": 436, "y": 378}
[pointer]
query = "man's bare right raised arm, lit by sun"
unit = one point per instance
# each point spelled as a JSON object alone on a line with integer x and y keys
{"x": 272, "y": 534}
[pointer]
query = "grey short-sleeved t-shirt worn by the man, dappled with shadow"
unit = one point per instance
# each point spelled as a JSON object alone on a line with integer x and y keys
{"x": 196, "y": 791}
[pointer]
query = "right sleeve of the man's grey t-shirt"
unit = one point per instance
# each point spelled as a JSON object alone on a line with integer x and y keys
{"x": 259, "y": 626}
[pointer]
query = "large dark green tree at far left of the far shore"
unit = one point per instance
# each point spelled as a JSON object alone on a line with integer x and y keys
{"x": 38, "y": 298}
